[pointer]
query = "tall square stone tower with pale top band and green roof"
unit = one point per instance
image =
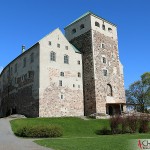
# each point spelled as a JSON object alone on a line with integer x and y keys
{"x": 103, "y": 84}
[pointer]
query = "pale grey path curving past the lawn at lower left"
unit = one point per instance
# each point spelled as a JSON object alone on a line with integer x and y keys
{"x": 8, "y": 141}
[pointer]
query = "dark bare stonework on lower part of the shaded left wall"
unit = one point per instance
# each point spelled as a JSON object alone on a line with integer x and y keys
{"x": 20, "y": 100}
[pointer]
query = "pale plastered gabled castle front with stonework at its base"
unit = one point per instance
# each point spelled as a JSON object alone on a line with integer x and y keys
{"x": 56, "y": 100}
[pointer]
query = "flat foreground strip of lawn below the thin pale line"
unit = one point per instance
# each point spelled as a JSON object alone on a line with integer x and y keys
{"x": 109, "y": 142}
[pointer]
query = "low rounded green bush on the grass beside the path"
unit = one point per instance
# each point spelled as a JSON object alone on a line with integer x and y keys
{"x": 39, "y": 131}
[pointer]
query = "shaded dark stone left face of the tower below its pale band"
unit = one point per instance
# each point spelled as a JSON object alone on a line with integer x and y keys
{"x": 84, "y": 44}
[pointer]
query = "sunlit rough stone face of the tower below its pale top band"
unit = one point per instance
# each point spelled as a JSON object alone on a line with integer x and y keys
{"x": 114, "y": 77}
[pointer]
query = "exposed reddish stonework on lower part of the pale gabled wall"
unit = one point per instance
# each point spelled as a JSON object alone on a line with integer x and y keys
{"x": 51, "y": 104}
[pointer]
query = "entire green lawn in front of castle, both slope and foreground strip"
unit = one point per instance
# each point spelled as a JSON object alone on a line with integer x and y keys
{"x": 80, "y": 134}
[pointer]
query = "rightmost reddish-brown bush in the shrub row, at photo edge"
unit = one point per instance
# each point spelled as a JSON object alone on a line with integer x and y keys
{"x": 144, "y": 124}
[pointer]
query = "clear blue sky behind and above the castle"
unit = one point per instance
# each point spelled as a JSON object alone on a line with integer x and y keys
{"x": 27, "y": 21}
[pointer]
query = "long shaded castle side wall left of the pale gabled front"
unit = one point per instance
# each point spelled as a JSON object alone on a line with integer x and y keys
{"x": 19, "y": 88}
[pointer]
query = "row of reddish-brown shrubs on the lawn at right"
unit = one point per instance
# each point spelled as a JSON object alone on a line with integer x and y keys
{"x": 127, "y": 124}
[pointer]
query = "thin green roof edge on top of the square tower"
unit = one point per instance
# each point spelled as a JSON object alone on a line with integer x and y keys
{"x": 89, "y": 13}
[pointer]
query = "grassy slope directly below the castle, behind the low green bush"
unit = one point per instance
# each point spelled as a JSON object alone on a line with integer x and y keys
{"x": 72, "y": 127}
